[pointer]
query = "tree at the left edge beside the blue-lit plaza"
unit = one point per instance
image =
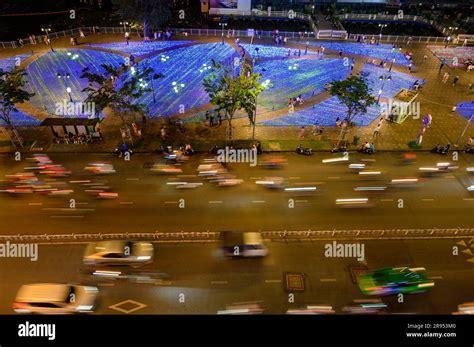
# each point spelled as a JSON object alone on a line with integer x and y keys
{"x": 11, "y": 93}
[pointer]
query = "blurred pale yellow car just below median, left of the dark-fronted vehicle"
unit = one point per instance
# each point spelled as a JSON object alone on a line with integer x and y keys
{"x": 118, "y": 253}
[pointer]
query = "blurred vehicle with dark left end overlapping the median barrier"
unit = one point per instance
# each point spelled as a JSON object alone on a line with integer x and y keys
{"x": 246, "y": 244}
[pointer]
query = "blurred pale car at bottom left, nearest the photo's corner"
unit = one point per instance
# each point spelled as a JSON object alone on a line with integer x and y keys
{"x": 55, "y": 298}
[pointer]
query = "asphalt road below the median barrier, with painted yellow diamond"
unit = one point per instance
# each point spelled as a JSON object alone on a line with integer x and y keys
{"x": 210, "y": 283}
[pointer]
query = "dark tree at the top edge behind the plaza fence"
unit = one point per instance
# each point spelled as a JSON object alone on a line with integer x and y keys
{"x": 152, "y": 13}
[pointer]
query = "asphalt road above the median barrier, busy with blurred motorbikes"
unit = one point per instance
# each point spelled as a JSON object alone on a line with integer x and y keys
{"x": 147, "y": 204}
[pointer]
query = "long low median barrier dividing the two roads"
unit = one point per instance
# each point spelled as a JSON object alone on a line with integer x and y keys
{"x": 282, "y": 235}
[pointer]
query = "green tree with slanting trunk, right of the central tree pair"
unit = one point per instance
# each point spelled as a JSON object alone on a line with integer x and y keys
{"x": 356, "y": 95}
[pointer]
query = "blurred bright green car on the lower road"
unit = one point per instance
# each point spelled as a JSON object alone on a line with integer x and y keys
{"x": 389, "y": 281}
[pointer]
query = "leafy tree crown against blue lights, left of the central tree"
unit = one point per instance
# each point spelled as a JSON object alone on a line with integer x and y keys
{"x": 103, "y": 92}
